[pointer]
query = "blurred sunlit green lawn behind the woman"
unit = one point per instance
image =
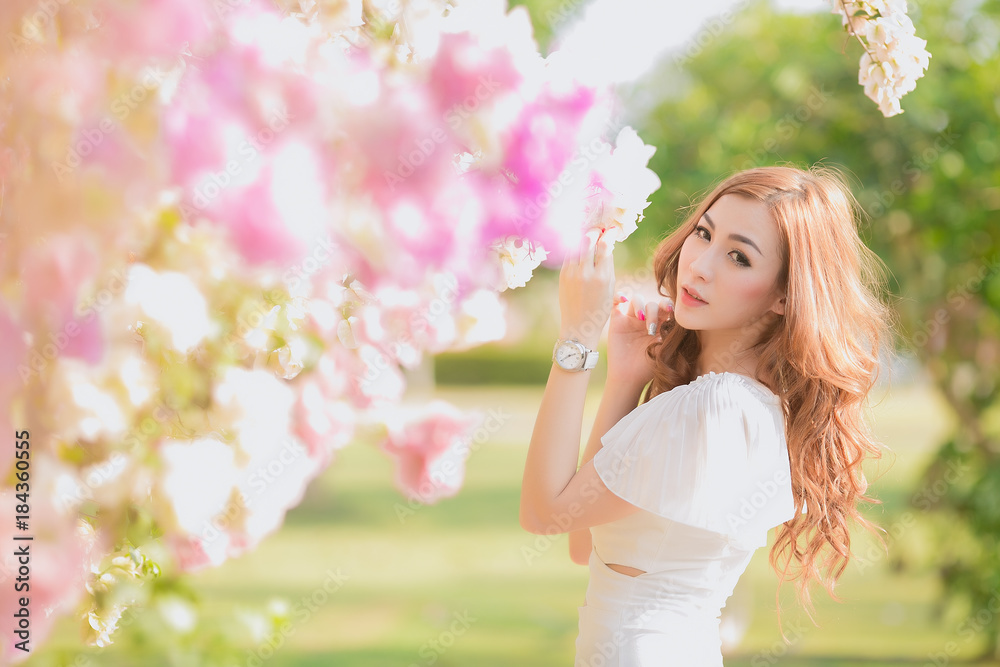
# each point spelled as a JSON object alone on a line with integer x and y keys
{"x": 408, "y": 576}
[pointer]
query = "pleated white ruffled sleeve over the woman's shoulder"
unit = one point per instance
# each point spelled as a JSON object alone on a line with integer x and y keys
{"x": 710, "y": 454}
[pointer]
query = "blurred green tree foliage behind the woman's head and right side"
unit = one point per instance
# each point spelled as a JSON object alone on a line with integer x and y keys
{"x": 778, "y": 88}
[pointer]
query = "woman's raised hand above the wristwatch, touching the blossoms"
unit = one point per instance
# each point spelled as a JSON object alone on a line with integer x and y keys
{"x": 586, "y": 288}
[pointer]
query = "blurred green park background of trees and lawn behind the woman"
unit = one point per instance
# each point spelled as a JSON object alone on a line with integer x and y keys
{"x": 361, "y": 576}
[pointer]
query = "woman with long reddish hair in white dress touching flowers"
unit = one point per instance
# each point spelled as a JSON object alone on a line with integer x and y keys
{"x": 759, "y": 375}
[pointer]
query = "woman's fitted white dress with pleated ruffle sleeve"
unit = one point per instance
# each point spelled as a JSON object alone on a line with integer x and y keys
{"x": 707, "y": 464}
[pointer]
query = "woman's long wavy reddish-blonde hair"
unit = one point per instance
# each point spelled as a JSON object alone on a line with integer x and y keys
{"x": 821, "y": 357}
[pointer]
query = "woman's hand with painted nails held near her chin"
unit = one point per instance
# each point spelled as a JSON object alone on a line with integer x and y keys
{"x": 628, "y": 337}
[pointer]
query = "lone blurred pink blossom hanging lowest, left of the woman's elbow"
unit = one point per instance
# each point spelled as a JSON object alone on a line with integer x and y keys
{"x": 430, "y": 447}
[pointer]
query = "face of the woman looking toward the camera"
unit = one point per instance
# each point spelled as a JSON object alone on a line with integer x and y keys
{"x": 728, "y": 268}
